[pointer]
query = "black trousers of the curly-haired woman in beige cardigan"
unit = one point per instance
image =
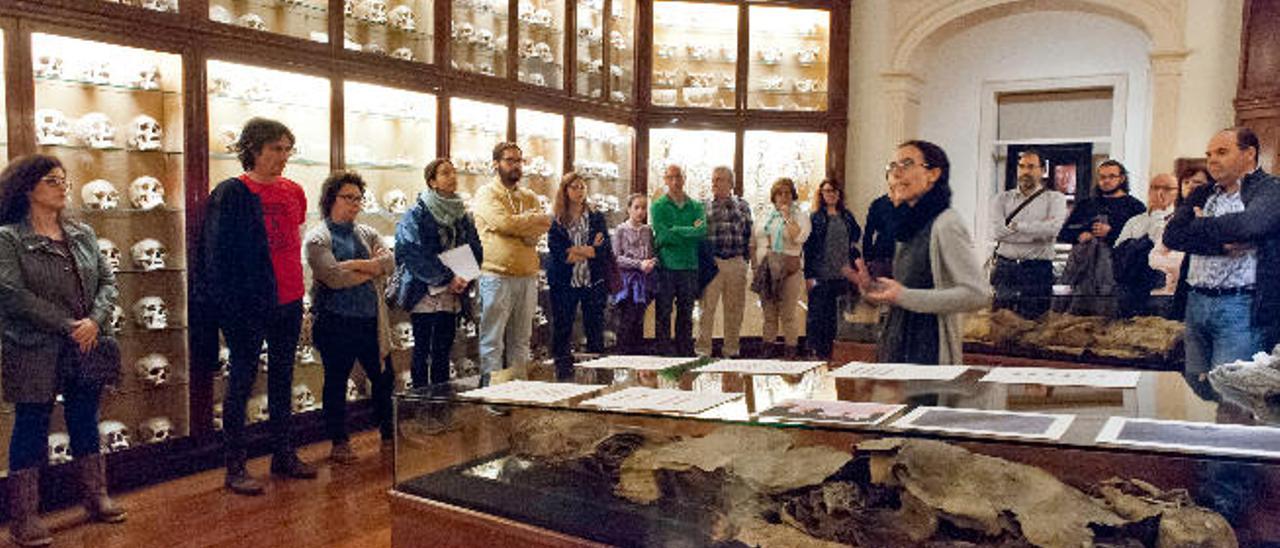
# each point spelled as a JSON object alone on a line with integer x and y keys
{"x": 342, "y": 341}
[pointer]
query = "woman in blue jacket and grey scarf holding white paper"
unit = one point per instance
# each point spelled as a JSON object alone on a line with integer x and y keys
{"x": 432, "y": 290}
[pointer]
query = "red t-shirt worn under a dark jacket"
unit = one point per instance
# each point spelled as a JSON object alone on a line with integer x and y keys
{"x": 285, "y": 209}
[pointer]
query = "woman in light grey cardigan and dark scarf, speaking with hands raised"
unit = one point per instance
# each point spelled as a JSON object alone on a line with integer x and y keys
{"x": 936, "y": 276}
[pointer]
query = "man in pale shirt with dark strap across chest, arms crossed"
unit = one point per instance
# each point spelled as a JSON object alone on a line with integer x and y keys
{"x": 1025, "y": 222}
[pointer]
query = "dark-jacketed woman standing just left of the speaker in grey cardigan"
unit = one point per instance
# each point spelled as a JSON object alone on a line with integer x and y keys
{"x": 831, "y": 248}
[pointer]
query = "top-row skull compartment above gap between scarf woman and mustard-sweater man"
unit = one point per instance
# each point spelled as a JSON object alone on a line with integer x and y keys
{"x": 479, "y": 36}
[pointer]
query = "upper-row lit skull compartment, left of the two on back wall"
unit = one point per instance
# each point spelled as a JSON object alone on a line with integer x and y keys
{"x": 694, "y": 54}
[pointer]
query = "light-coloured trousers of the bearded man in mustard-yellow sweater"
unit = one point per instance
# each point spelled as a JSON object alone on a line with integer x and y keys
{"x": 508, "y": 307}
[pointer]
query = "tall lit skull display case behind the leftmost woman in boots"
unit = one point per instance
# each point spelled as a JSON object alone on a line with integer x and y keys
{"x": 115, "y": 117}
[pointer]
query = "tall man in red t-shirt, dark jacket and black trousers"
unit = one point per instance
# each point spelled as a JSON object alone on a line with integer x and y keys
{"x": 249, "y": 267}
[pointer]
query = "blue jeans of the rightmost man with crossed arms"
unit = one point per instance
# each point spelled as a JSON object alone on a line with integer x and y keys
{"x": 1219, "y": 331}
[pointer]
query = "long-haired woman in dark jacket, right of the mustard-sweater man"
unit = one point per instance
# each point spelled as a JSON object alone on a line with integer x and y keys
{"x": 580, "y": 255}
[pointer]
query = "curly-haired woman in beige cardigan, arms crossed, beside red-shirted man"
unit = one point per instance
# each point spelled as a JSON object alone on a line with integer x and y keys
{"x": 349, "y": 264}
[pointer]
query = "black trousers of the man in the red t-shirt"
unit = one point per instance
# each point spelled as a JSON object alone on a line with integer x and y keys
{"x": 245, "y": 339}
